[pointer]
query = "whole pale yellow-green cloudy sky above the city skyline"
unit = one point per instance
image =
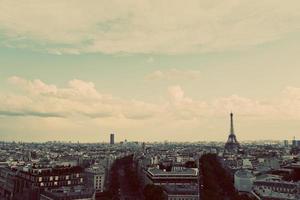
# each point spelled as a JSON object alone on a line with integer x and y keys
{"x": 149, "y": 70}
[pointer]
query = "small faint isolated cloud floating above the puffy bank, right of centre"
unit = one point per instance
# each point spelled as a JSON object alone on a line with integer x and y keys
{"x": 174, "y": 74}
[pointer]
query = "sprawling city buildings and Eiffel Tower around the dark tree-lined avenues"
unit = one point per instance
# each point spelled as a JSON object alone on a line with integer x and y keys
{"x": 65, "y": 171}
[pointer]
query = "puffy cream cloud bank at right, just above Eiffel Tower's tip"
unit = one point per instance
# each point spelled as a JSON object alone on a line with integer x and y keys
{"x": 286, "y": 106}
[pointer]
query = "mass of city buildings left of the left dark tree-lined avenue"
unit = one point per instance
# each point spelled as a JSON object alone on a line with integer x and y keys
{"x": 56, "y": 170}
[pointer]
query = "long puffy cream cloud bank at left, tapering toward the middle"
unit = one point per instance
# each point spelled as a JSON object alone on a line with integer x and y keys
{"x": 78, "y": 99}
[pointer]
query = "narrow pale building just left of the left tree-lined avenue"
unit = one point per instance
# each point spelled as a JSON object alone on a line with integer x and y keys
{"x": 95, "y": 178}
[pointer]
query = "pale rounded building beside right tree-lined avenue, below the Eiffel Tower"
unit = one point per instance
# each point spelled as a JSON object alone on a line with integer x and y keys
{"x": 243, "y": 181}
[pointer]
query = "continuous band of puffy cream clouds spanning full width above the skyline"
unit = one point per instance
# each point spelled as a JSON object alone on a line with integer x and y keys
{"x": 81, "y": 100}
